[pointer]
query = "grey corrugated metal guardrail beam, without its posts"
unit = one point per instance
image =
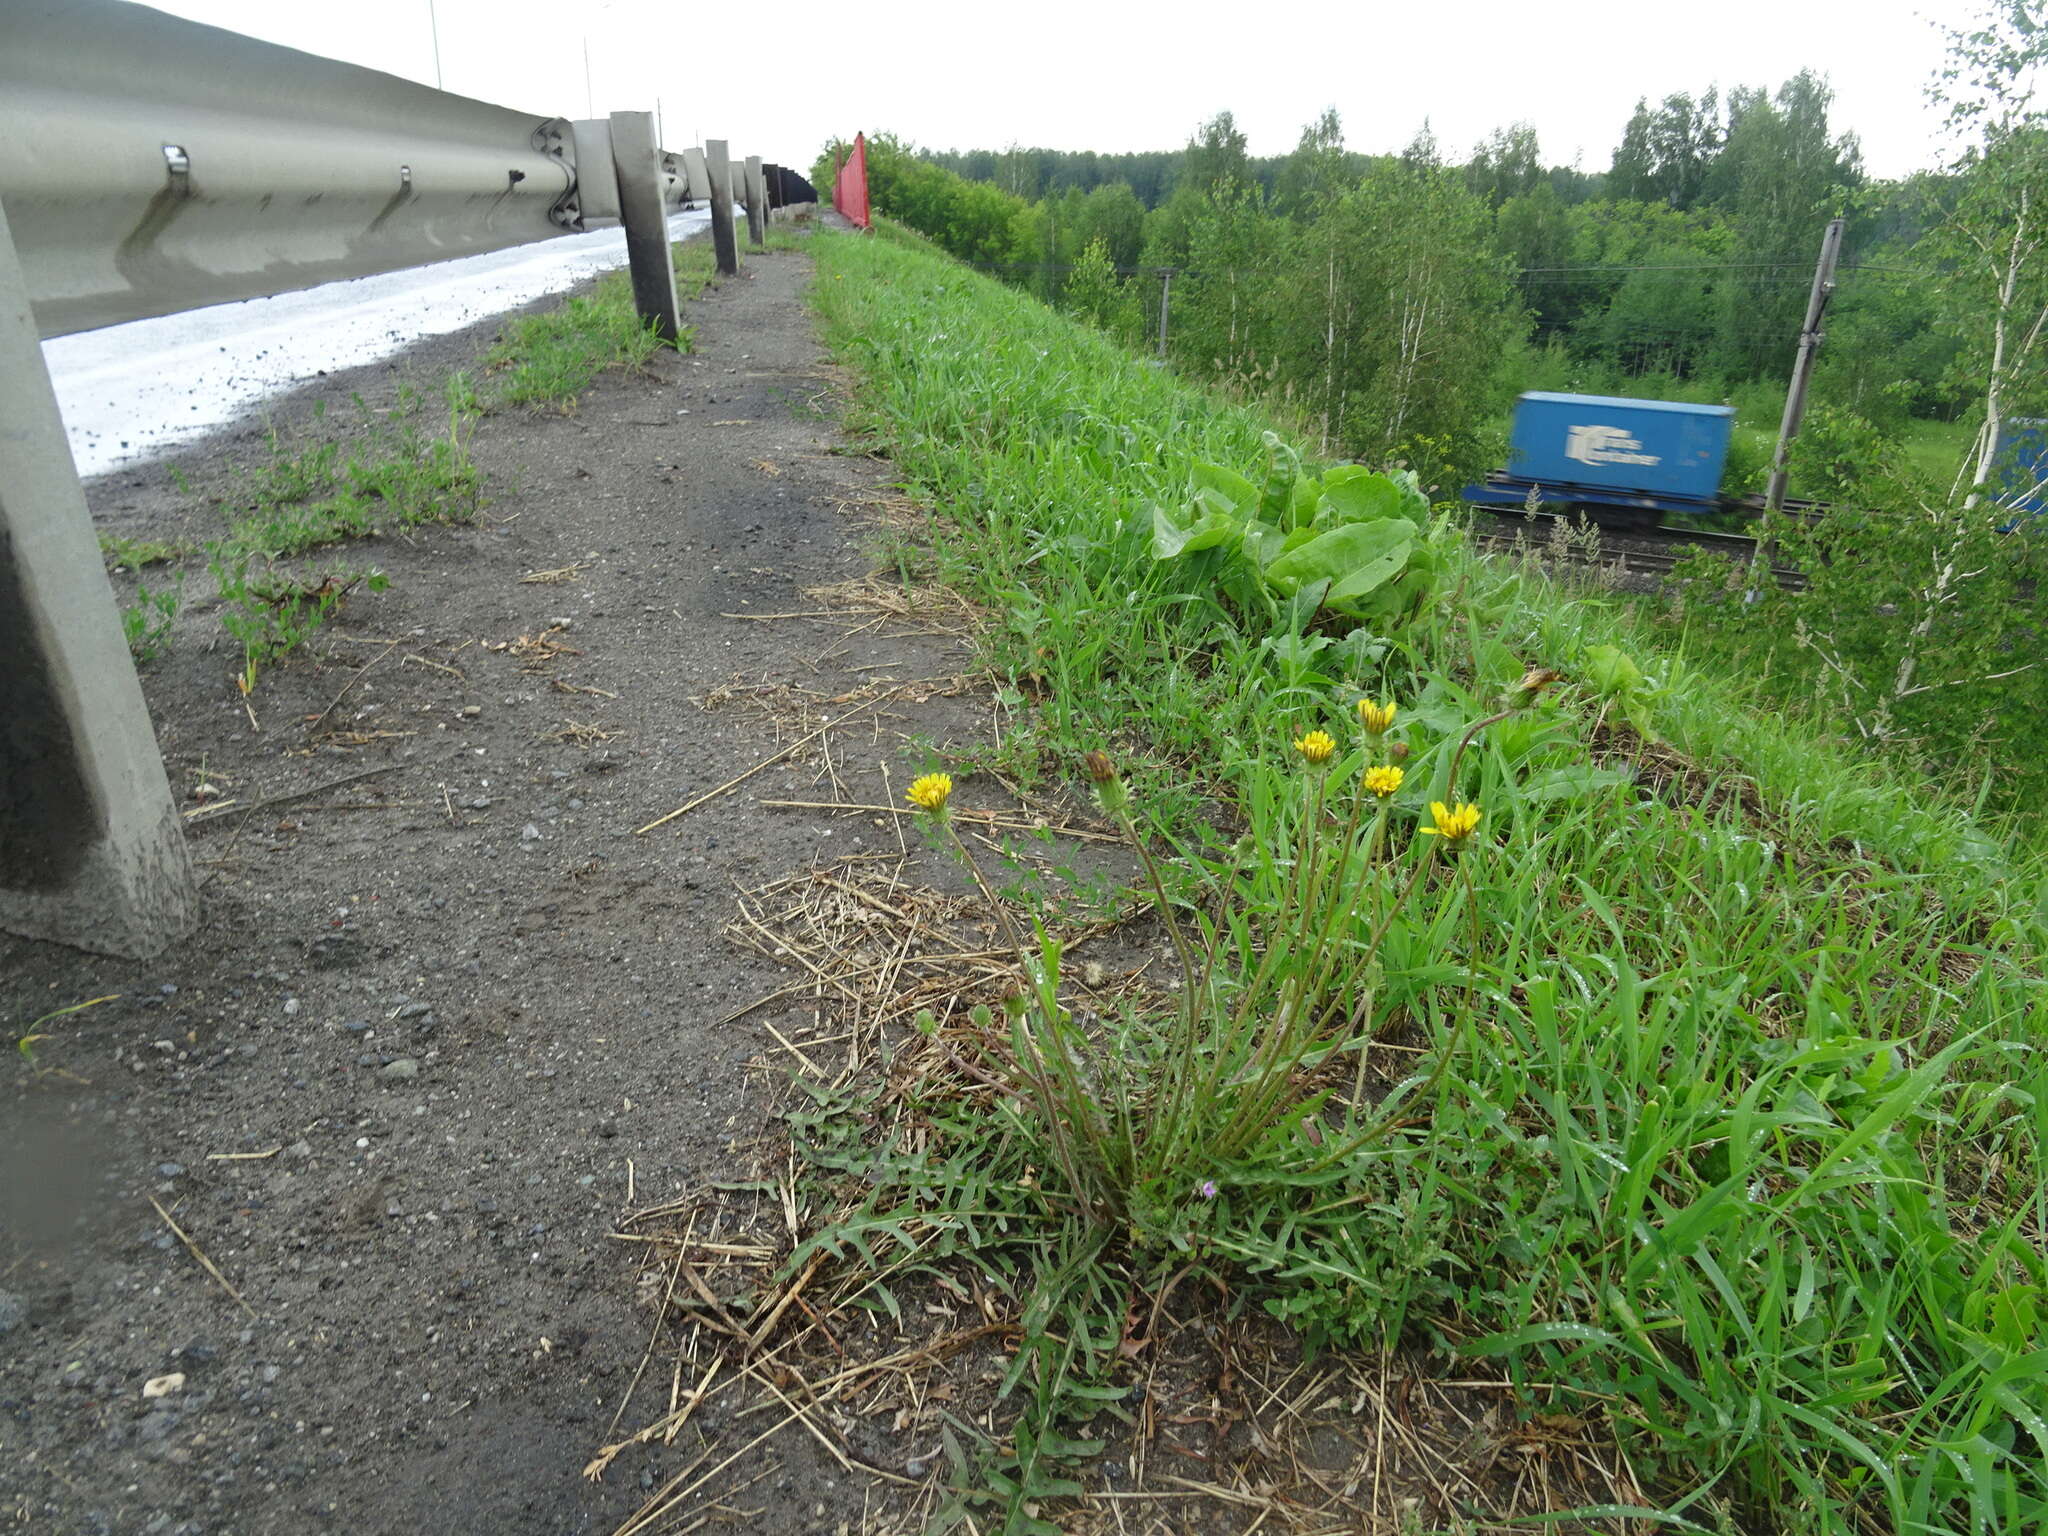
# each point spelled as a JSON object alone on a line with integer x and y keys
{"x": 157, "y": 165}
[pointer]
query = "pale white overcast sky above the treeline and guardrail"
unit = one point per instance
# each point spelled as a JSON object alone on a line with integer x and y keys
{"x": 781, "y": 81}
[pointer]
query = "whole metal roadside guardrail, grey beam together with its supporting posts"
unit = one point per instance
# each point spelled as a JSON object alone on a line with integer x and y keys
{"x": 155, "y": 165}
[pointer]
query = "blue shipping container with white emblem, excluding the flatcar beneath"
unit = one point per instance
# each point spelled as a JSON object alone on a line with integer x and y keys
{"x": 1652, "y": 447}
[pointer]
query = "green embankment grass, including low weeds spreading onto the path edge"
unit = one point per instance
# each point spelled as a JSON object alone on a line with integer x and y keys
{"x": 1703, "y": 1091}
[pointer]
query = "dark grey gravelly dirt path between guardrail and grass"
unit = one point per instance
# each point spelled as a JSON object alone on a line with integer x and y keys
{"x": 445, "y": 1021}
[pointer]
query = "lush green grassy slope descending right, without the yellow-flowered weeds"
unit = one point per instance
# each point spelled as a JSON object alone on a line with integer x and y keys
{"x": 1744, "y": 1119}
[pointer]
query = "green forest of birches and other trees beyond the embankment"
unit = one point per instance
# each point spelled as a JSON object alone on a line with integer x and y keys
{"x": 1392, "y": 306}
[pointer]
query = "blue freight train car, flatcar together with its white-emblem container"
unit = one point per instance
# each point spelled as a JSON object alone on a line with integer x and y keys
{"x": 1617, "y": 462}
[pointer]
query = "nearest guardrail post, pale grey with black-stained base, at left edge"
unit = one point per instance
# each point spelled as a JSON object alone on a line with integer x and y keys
{"x": 91, "y": 849}
